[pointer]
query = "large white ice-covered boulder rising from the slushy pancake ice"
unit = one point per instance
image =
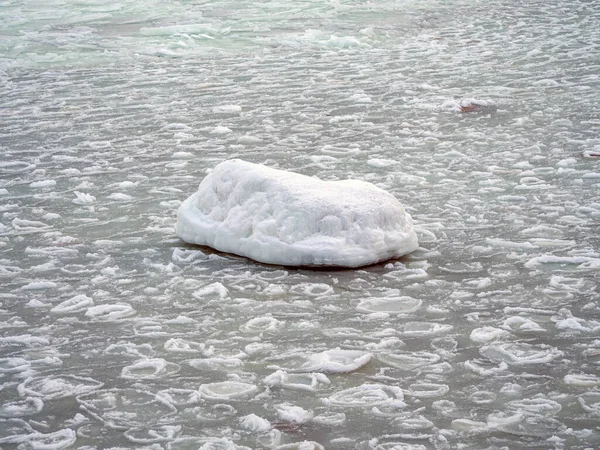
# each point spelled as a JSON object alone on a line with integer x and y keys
{"x": 279, "y": 217}
